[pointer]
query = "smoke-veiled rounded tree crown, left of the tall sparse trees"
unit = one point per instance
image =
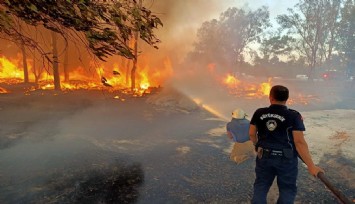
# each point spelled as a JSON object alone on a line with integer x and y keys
{"x": 223, "y": 41}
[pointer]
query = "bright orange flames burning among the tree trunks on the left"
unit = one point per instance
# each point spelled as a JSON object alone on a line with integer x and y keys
{"x": 112, "y": 78}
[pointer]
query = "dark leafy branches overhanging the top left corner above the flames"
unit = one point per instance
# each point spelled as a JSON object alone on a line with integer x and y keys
{"x": 107, "y": 25}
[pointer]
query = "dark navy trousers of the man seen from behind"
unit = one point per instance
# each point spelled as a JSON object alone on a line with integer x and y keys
{"x": 285, "y": 170}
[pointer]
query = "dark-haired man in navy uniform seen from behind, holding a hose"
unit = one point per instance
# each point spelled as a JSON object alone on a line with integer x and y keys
{"x": 277, "y": 133}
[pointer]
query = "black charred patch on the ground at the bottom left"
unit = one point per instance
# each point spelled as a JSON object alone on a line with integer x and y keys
{"x": 118, "y": 184}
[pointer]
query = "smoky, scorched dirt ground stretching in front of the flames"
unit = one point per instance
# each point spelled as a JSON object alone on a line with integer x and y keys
{"x": 88, "y": 147}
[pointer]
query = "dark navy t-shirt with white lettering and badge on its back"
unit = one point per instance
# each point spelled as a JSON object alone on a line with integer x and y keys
{"x": 275, "y": 125}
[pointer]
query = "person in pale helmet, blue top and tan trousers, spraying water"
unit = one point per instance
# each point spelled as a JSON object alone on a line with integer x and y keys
{"x": 238, "y": 131}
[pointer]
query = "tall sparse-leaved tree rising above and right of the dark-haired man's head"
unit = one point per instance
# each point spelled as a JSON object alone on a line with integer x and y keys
{"x": 314, "y": 25}
